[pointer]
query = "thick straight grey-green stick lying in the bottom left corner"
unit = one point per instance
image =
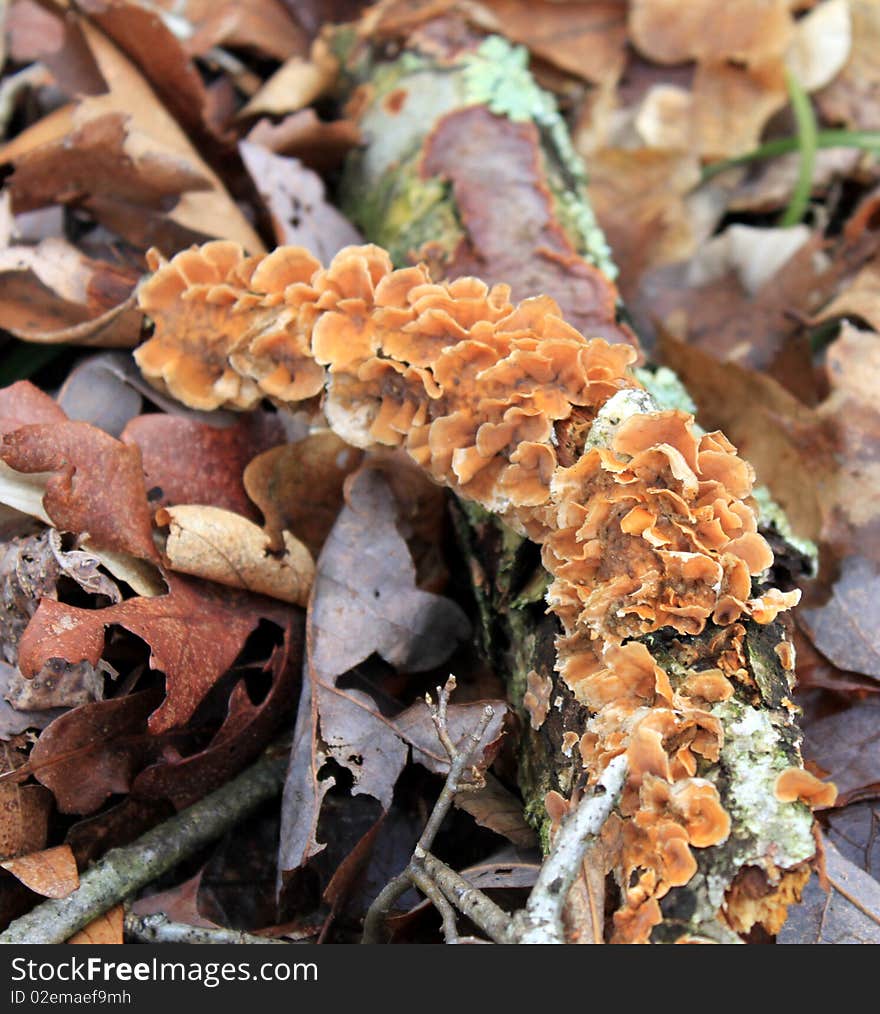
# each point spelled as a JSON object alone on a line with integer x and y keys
{"x": 124, "y": 872}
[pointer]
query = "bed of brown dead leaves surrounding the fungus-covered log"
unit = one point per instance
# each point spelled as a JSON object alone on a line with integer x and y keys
{"x": 163, "y": 571}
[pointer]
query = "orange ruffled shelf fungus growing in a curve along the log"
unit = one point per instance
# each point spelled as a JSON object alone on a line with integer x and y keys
{"x": 651, "y": 528}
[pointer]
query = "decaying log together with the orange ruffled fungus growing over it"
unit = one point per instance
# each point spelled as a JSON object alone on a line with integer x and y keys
{"x": 664, "y": 642}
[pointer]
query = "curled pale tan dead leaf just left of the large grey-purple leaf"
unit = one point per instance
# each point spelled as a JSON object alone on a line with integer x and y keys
{"x": 221, "y": 546}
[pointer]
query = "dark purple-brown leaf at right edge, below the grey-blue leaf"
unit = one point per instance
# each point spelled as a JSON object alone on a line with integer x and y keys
{"x": 847, "y": 747}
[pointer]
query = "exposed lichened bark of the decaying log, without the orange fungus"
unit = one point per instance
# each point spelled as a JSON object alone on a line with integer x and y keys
{"x": 400, "y": 197}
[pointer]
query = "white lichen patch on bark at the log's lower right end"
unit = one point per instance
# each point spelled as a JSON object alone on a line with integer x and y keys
{"x": 755, "y": 755}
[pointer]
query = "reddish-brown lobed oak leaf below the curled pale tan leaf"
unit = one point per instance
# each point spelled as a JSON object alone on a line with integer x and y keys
{"x": 195, "y": 632}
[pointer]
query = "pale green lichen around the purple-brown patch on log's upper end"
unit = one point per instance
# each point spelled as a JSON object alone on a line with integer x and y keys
{"x": 384, "y": 191}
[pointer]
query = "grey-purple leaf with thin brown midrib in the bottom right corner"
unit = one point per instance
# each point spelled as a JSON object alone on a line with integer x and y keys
{"x": 850, "y": 914}
